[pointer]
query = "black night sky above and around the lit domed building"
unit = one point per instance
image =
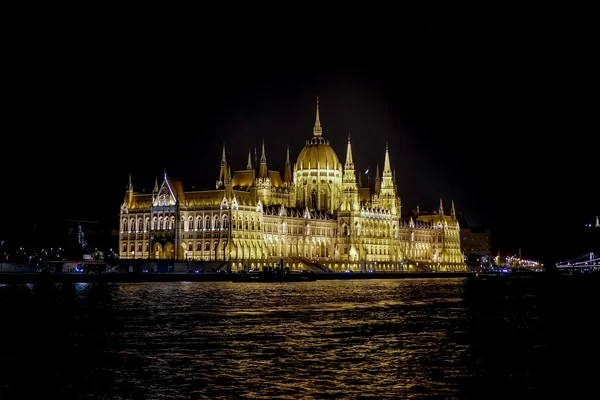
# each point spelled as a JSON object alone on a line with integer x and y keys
{"x": 497, "y": 116}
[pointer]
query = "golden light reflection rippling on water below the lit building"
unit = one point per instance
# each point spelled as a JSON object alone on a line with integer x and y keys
{"x": 336, "y": 338}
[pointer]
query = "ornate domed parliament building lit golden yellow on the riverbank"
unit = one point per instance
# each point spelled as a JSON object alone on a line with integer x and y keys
{"x": 317, "y": 216}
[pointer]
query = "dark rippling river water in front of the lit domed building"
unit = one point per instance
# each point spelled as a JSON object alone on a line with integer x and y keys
{"x": 368, "y": 339}
